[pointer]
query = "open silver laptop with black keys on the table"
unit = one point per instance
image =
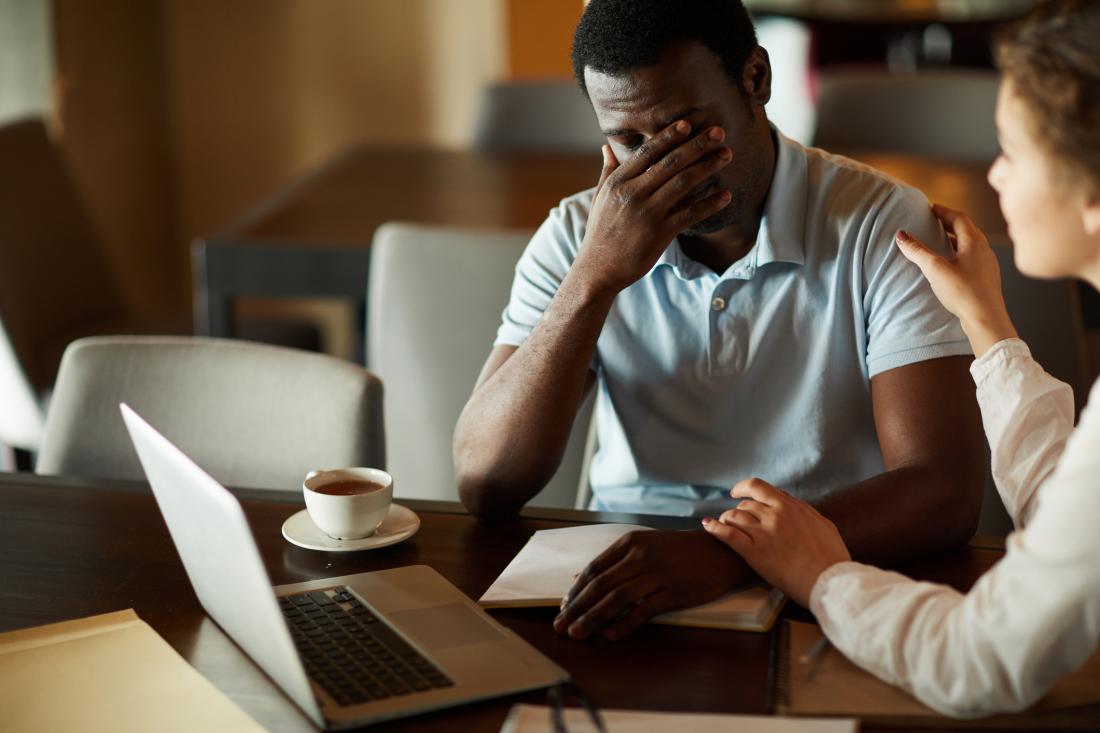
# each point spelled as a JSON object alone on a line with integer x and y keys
{"x": 350, "y": 650}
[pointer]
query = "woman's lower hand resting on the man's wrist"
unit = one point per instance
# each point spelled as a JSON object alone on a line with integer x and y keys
{"x": 785, "y": 540}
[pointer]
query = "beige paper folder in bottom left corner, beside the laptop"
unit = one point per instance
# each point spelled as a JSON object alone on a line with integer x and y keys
{"x": 107, "y": 673}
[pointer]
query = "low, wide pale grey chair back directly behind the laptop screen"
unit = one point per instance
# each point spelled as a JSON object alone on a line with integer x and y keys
{"x": 251, "y": 415}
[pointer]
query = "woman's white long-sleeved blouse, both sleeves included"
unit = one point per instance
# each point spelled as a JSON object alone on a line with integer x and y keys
{"x": 1036, "y": 616}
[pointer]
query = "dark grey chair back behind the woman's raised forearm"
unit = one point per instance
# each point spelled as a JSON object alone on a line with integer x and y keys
{"x": 1048, "y": 318}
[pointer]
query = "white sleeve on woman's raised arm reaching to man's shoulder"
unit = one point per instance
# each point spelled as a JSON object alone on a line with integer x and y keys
{"x": 1028, "y": 417}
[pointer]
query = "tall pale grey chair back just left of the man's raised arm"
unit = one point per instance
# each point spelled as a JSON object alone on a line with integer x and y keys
{"x": 435, "y": 303}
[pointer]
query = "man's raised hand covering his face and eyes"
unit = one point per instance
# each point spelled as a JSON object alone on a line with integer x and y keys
{"x": 643, "y": 204}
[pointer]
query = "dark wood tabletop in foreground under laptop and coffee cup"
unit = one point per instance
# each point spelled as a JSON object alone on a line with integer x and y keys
{"x": 73, "y": 548}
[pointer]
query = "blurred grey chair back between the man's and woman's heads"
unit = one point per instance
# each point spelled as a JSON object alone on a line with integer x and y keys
{"x": 948, "y": 115}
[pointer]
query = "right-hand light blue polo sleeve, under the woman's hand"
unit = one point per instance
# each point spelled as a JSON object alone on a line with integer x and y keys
{"x": 905, "y": 321}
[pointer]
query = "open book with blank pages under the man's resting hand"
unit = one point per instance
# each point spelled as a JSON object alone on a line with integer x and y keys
{"x": 548, "y": 565}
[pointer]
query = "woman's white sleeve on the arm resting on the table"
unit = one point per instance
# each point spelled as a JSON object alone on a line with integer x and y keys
{"x": 1031, "y": 620}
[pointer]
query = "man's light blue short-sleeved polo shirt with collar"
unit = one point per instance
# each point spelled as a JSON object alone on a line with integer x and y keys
{"x": 708, "y": 379}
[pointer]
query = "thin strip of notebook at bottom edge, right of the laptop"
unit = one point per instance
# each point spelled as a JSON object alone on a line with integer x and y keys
{"x": 537, "y": 719}
